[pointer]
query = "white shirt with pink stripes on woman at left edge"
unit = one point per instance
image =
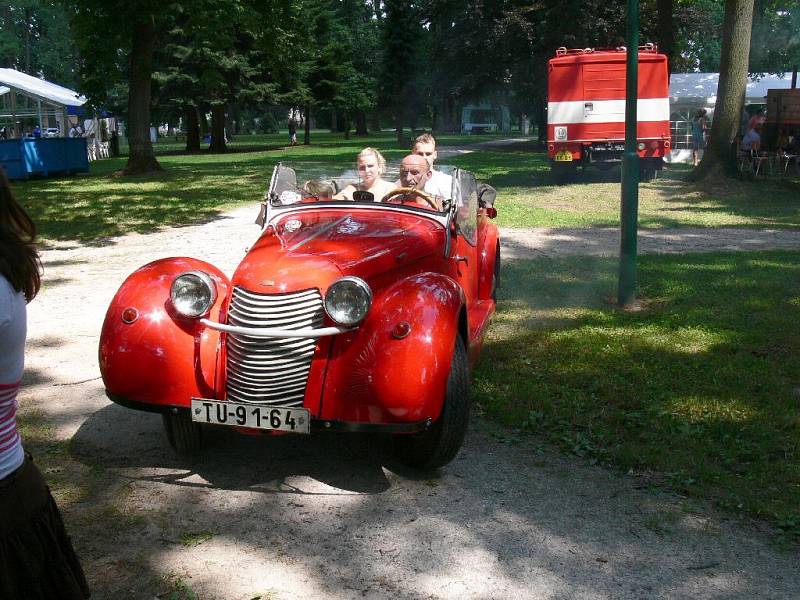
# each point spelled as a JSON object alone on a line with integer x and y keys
{"x": 12, "y": 351}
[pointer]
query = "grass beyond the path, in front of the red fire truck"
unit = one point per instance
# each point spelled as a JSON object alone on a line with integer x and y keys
{"x": 527, "y": 196}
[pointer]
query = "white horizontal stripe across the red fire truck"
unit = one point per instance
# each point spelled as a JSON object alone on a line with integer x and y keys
{"x": 605, "y": 111}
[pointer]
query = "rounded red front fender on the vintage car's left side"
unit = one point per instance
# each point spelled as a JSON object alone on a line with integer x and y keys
{"x": 161, "y": 358}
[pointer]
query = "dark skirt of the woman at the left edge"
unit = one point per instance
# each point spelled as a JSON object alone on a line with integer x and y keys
{"x": 37, "y": 561}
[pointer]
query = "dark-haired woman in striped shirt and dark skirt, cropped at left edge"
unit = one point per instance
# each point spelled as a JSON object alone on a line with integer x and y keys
{"x": 36, "y": 556}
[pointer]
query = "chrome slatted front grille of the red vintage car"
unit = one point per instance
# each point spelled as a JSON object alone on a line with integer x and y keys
{"x": 271, "y": 371}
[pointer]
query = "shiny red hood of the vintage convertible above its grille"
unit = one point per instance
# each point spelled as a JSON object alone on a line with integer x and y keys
{"x": 327, "y": 244}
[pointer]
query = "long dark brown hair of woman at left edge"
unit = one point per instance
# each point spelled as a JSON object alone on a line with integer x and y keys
{"x": 19, "y": 260}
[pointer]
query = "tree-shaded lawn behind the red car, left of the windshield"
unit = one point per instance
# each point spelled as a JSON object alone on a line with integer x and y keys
{"x": 191, "y": 188}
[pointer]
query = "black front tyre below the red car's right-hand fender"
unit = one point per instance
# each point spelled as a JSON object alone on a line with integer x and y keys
{"x": 439, "y": 445}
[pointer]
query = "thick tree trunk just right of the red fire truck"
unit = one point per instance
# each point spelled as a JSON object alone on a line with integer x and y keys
{"x": 720, "y": 155}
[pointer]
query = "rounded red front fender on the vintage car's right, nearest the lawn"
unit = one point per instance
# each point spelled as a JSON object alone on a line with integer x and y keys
{"x": 381, "y": 373}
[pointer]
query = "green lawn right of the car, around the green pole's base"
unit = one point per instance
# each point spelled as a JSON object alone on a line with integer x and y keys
{"x": 702, "y": 386}
